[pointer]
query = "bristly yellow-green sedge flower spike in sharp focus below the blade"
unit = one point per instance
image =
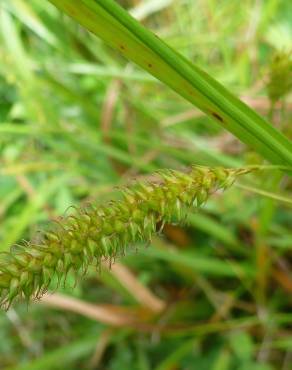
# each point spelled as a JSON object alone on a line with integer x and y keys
{"x": 103, "y": 232}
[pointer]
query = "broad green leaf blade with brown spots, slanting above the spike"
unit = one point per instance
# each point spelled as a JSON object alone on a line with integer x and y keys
{"x": 109, "y": 21}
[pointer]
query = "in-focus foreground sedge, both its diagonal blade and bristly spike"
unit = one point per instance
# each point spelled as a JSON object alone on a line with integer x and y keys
{"x": 104, "y": 231}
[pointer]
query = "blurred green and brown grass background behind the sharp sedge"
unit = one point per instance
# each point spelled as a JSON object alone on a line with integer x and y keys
{"x": 76, "y": 120}
